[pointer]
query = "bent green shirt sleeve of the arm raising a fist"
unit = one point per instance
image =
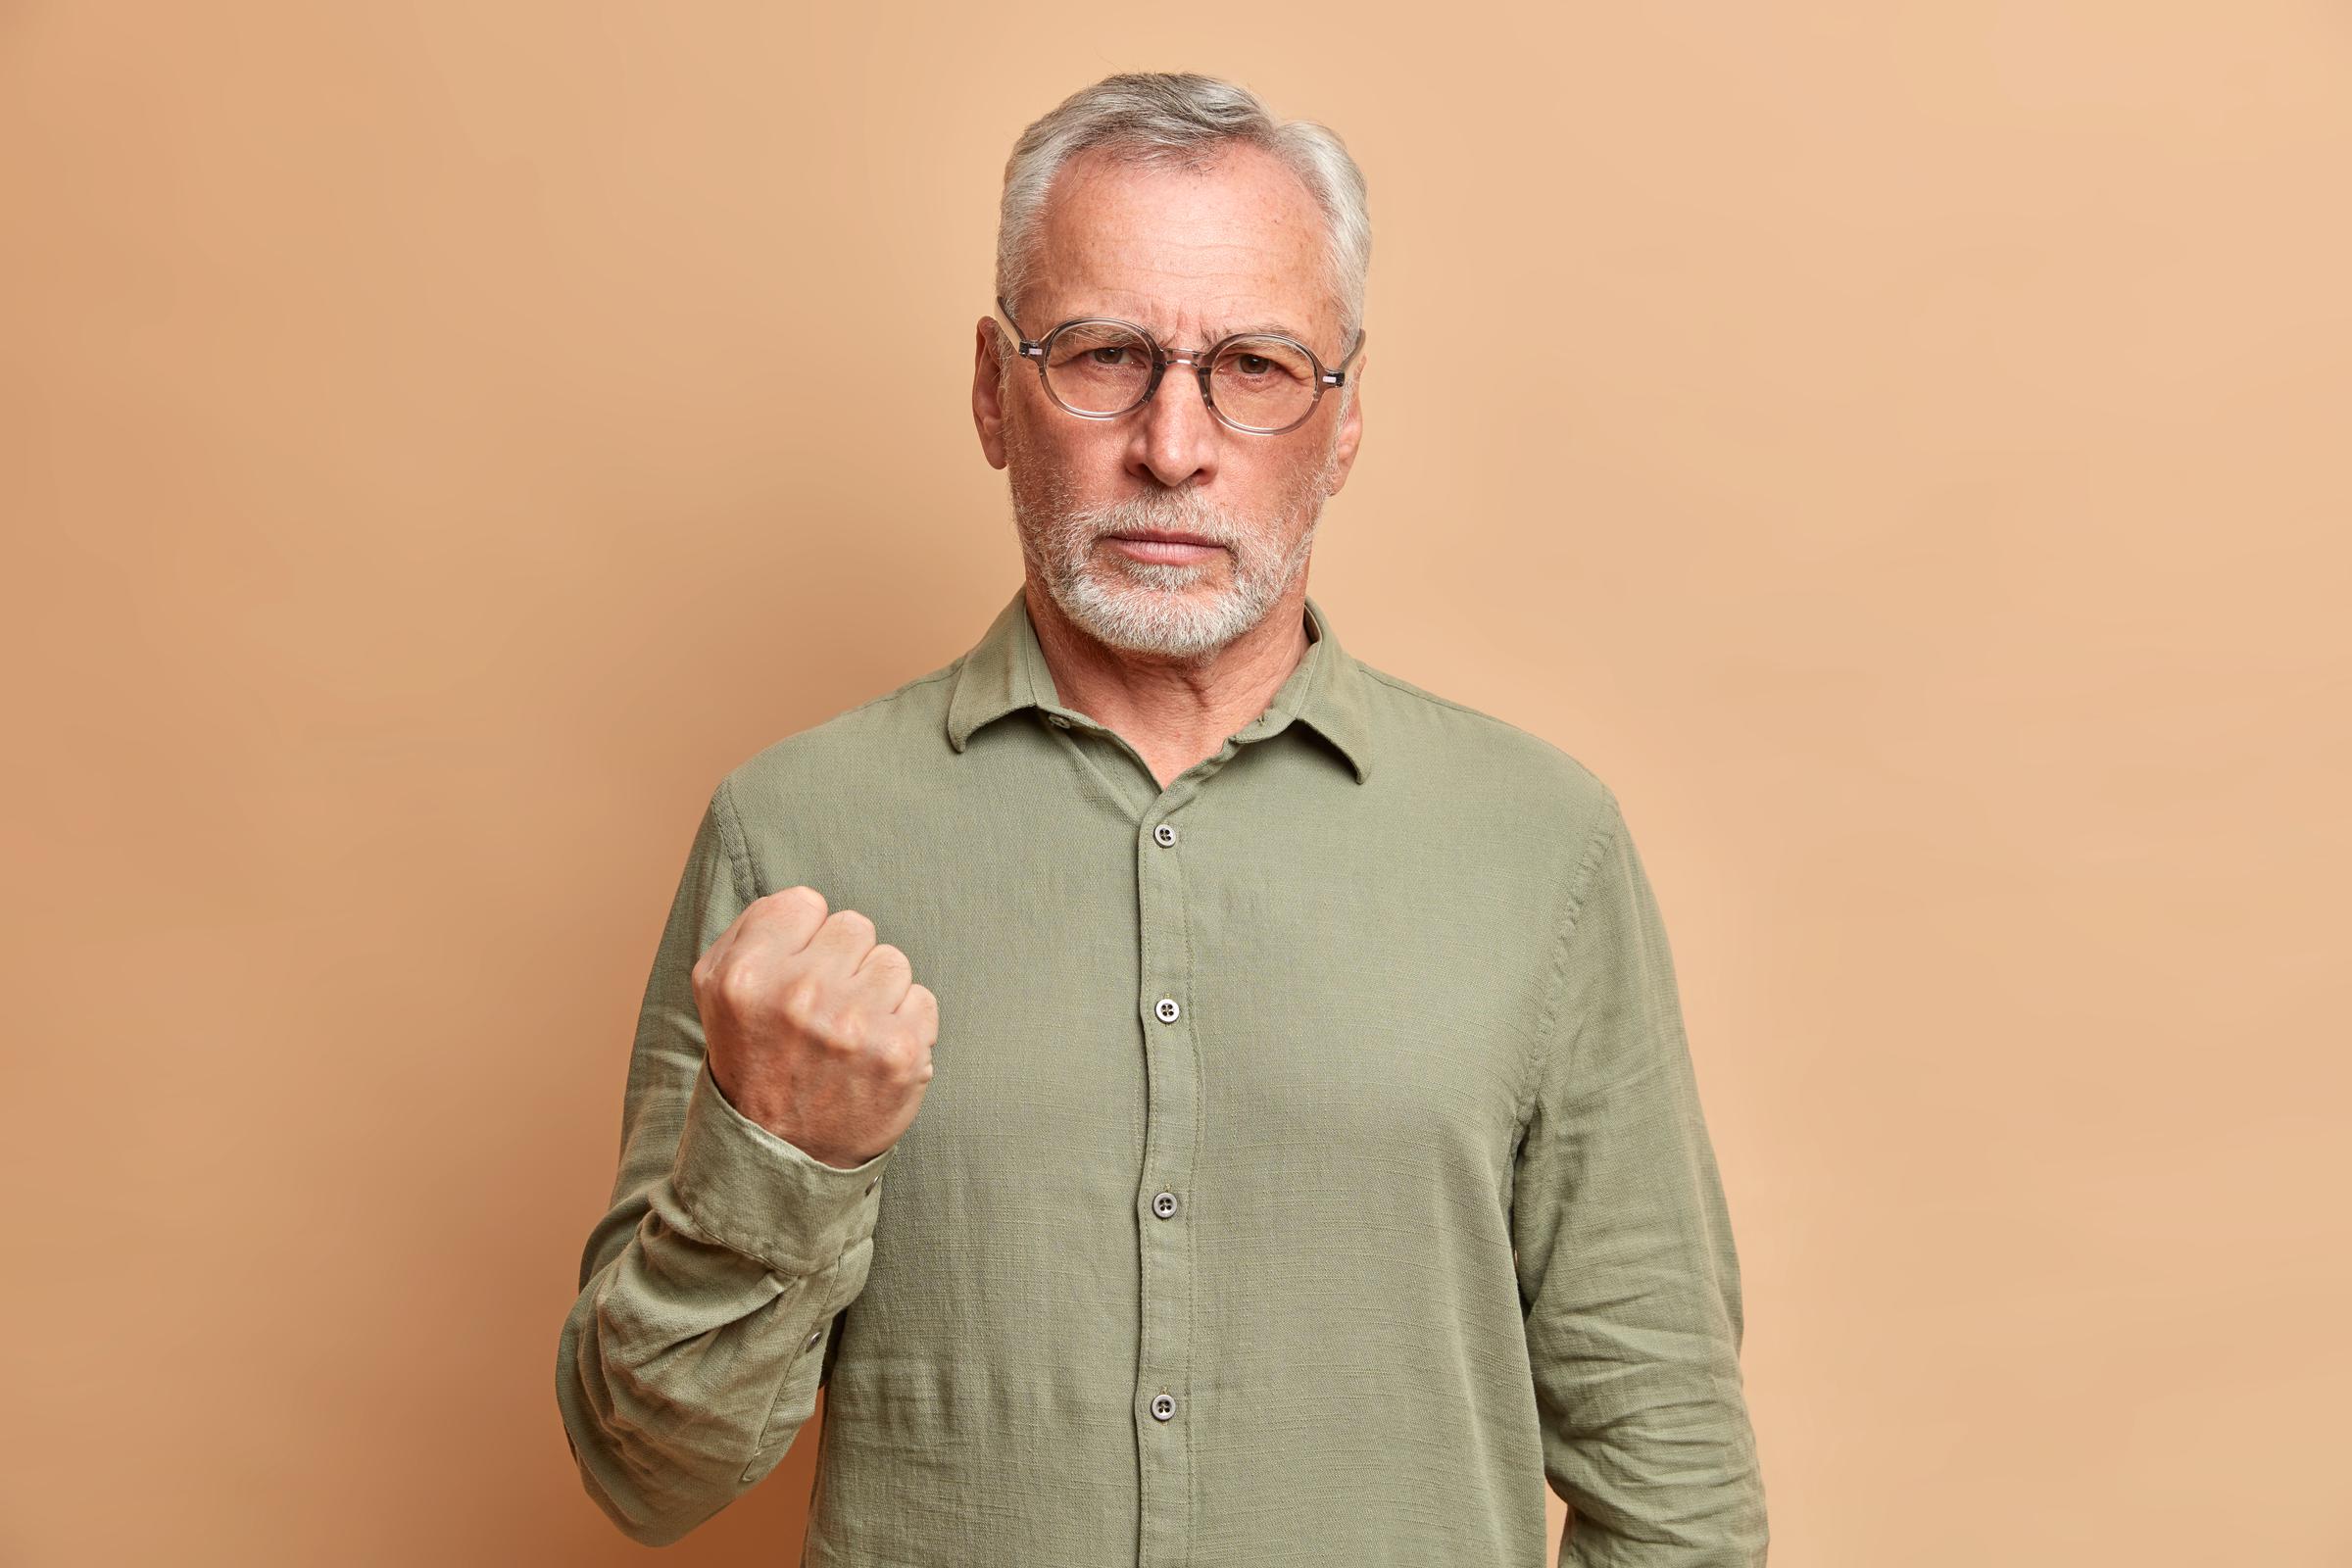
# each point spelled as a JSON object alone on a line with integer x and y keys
{"x": 709, "y": 1289}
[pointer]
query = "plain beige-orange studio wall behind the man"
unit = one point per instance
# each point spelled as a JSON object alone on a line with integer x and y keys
{"x": 436, "y": 441}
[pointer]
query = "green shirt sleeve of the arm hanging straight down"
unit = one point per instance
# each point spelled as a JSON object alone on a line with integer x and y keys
{"x": 1629, "y": 1278}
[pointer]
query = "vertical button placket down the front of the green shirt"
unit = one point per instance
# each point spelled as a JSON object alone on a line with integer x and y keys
{"x": 1172, "y": 1115}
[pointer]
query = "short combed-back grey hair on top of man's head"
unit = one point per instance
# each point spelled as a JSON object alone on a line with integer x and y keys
{"x": 1187, "y": 121}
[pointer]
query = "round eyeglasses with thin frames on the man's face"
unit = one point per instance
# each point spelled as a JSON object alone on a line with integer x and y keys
{"x": 1257, "y": 382}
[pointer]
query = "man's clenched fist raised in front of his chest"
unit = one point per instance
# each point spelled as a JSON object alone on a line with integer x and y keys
{"x": 815, "y": 1028}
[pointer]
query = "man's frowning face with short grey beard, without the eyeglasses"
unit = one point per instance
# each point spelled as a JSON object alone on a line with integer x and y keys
{"x": 1191, "y": 257}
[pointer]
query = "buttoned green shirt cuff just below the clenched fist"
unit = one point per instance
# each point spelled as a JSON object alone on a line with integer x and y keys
{"x": 763, "y": 1195}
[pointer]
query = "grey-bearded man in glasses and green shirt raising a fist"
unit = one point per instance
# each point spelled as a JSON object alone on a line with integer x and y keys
{"x": 1187, "y": 1094}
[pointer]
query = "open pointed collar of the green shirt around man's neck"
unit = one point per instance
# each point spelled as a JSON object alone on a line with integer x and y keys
{"x": 1008, "y": 671}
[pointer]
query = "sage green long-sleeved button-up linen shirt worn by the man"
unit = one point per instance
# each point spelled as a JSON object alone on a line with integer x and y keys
{"x": 1299, "y": 1186}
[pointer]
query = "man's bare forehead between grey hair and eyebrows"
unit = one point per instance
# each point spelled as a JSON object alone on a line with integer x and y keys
{"x": 1189, "y": 253}
